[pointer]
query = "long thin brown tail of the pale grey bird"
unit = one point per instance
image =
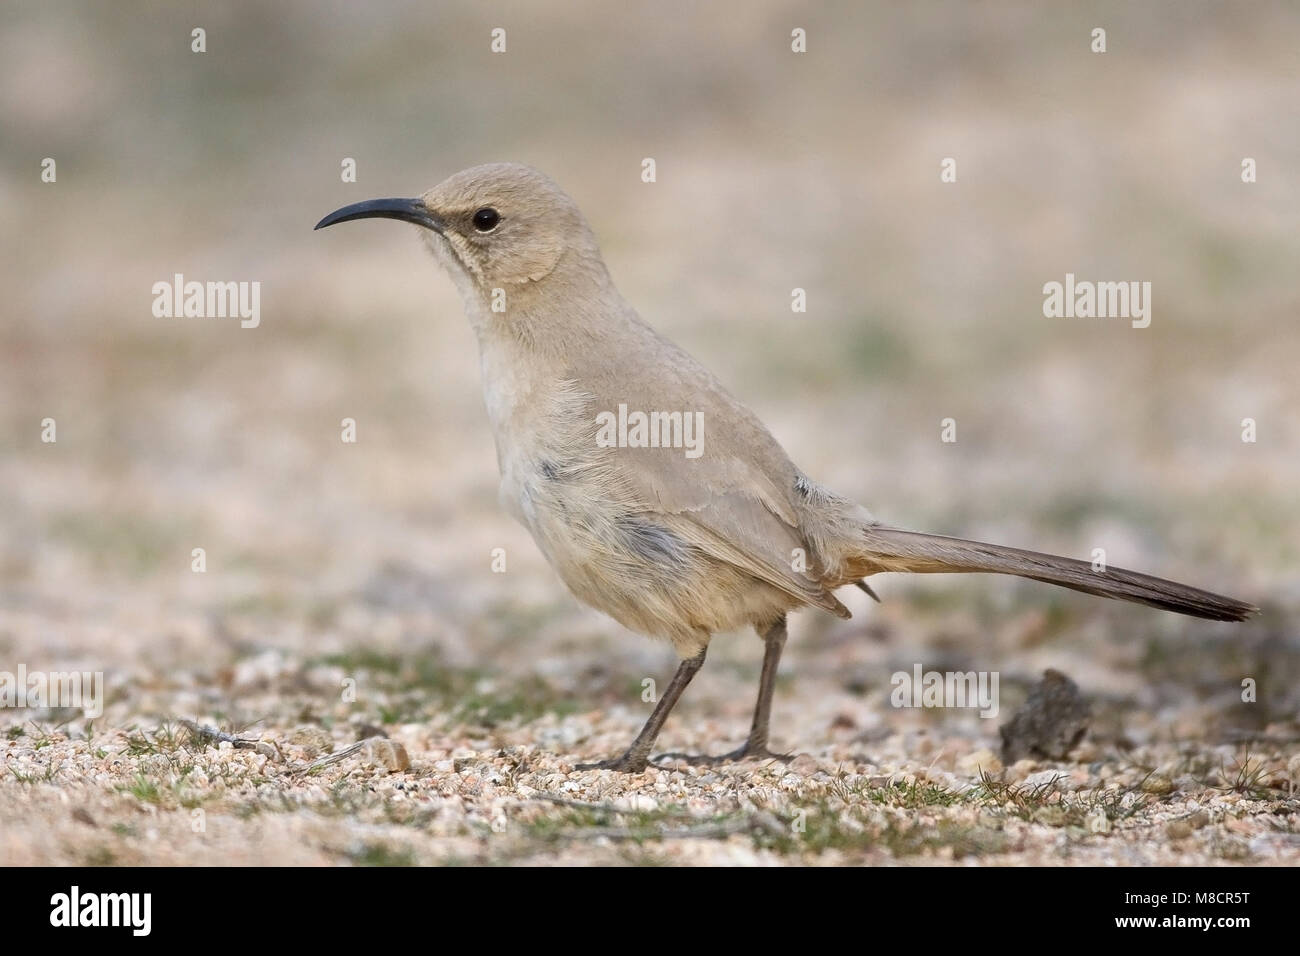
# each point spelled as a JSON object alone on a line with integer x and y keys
{"x": 891, "y": 550}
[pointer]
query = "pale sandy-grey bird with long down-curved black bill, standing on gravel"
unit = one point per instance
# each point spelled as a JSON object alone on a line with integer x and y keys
{"x": 674, "y": 543}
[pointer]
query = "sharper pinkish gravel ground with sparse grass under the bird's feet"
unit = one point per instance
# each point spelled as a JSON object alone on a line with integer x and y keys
{"x": 463, "y": 767}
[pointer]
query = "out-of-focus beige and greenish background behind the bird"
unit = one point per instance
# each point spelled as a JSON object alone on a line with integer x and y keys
{"x": 775, "y": 171}
